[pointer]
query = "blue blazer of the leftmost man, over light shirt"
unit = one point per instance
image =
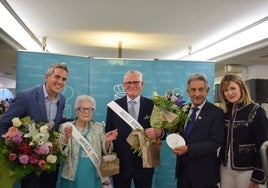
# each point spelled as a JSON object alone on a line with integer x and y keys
{"x": 31, "y": 102}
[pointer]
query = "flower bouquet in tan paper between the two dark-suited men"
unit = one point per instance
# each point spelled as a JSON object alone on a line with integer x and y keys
{"x": 169, "y": 112}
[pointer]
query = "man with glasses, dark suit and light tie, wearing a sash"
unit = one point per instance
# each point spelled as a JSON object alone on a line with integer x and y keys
{"x": 131, "y": 164}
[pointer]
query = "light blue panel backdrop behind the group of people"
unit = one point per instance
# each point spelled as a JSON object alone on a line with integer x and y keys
{"x": 102, "y": 79}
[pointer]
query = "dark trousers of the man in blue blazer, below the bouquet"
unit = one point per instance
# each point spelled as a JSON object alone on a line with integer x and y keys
{"x": 45, "y": 180}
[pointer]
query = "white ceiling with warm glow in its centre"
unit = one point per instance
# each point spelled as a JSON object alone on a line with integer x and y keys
{"x": 152, "y": 28}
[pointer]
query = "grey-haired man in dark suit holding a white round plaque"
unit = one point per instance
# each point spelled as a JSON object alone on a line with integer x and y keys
{"x": 197, "y": 161}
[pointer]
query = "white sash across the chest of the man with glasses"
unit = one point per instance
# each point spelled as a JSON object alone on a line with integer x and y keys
{"x": 133, "y": 123}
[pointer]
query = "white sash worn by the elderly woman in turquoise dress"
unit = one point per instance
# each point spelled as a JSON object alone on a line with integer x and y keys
{"x": 90, "y": 153}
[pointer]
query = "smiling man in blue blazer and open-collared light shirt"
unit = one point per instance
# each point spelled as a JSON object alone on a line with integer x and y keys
{"x": 43, "y": 103}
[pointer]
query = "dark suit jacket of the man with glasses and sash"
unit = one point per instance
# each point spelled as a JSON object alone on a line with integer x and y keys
{"x": 129, "y": 162}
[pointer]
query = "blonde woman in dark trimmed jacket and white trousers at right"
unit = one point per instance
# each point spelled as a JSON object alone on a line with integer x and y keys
{"x": 245, "y": 131}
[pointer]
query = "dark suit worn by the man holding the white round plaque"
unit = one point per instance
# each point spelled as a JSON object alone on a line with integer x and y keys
{"x": 206, "y": 137}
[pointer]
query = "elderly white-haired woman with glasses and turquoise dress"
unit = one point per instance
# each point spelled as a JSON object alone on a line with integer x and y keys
{"x": 78, "y": 171}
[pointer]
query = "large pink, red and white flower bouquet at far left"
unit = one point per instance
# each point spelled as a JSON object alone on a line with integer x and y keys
{"x": 27, "y": 148}
